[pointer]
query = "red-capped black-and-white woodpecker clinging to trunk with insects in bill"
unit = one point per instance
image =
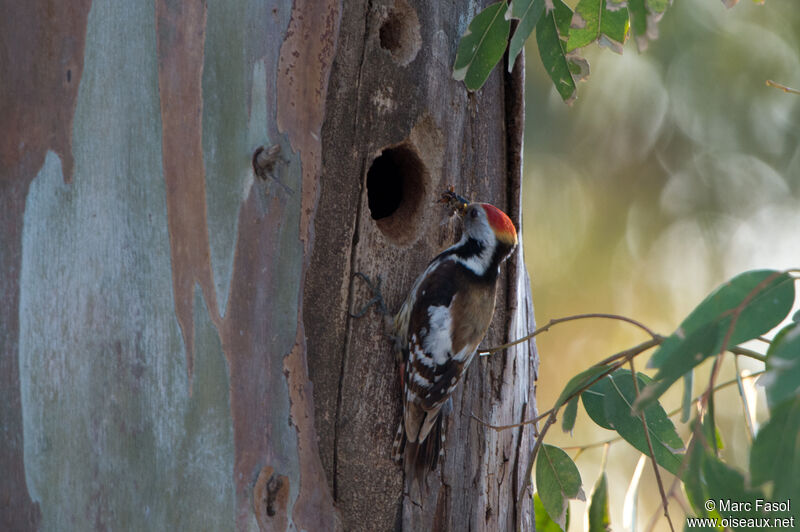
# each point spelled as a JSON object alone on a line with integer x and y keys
{"x": 441, "y": 323}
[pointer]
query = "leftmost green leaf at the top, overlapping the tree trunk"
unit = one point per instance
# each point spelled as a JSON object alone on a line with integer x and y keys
{"x": 482, "y": 46}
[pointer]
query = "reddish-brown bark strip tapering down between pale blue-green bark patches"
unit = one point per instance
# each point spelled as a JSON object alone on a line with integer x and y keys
{"x": 180, "y": 29}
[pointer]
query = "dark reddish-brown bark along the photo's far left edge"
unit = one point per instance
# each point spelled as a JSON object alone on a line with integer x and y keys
{"x": 37, "y": 99}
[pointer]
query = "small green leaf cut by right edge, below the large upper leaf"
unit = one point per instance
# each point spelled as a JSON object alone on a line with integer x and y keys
{"x": 782, "y": 380}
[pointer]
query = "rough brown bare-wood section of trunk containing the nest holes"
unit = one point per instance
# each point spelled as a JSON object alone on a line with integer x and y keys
{"x": 397, "y": 131}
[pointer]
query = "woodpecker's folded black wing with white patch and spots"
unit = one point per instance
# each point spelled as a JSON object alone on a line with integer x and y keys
{"x": 451, "y": 311}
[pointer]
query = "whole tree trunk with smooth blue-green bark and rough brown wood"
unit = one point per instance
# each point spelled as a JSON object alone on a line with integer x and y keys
{"x": 165, "y": 309}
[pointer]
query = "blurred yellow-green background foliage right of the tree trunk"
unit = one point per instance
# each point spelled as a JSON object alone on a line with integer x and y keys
{"x": 675, "y": 169}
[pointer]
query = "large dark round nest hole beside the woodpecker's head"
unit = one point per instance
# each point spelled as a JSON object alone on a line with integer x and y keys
{"x": 396, "y": 182}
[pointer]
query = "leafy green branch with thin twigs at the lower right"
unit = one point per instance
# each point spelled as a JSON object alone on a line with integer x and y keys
{"x": 627, "y": 401}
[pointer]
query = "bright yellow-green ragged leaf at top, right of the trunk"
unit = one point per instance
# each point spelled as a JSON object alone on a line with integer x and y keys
{"x": 593, "y": 21}
